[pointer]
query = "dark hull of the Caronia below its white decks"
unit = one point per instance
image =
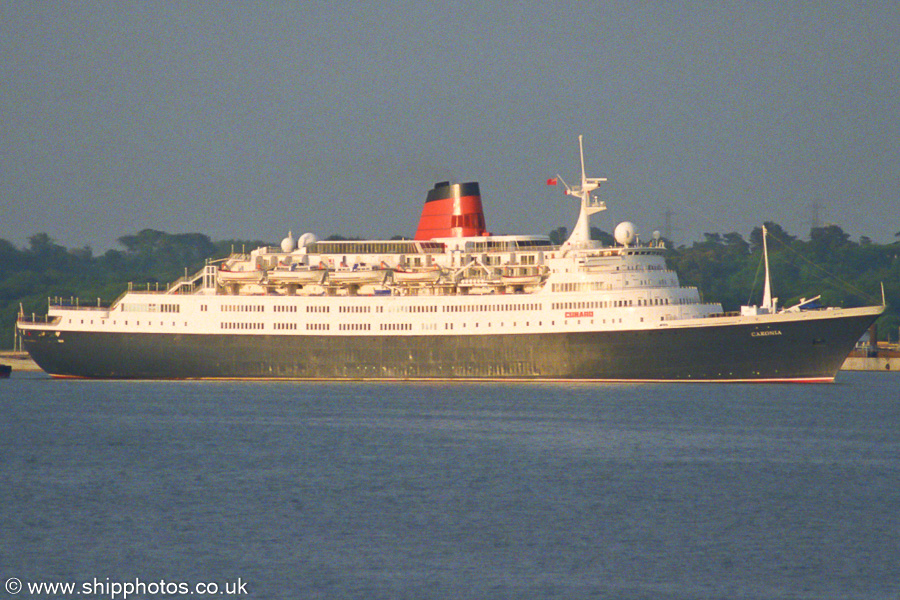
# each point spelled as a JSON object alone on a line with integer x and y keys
{"x": 801, "y": 350}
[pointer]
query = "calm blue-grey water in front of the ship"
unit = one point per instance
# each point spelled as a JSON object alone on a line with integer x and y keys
{"x": 302, "y": 490}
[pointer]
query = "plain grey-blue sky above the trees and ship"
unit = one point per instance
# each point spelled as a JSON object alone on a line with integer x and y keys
{"x": 242, "y": 120}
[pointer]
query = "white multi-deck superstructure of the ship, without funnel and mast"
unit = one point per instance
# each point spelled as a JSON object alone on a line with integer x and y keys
{"x": 514, "y": 284}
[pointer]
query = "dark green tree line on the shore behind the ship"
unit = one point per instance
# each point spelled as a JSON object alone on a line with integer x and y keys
{"x": 725, "y": 268}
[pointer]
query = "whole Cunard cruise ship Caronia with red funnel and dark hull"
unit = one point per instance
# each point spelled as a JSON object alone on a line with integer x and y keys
{"x": 454, "y": 302}
